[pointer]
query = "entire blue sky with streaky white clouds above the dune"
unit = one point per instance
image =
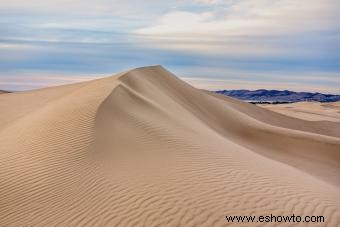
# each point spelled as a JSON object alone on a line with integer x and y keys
{"x": 212, "y": 44}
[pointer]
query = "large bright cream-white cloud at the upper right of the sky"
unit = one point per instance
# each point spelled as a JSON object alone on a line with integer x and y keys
{"x": 261, "y": 27}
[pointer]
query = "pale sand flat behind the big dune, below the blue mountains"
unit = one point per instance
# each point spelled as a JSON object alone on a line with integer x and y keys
{"x": 312, "y": 111}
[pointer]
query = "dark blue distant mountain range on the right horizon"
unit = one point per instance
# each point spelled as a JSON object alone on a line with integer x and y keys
{"x": 275, "y": 96}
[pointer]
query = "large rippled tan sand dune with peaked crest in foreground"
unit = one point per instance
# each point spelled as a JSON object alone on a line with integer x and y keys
{"x": 143, "y": 148}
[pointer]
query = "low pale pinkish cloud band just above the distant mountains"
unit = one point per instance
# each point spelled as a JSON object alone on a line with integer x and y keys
{"x": 219, "y": 78}
